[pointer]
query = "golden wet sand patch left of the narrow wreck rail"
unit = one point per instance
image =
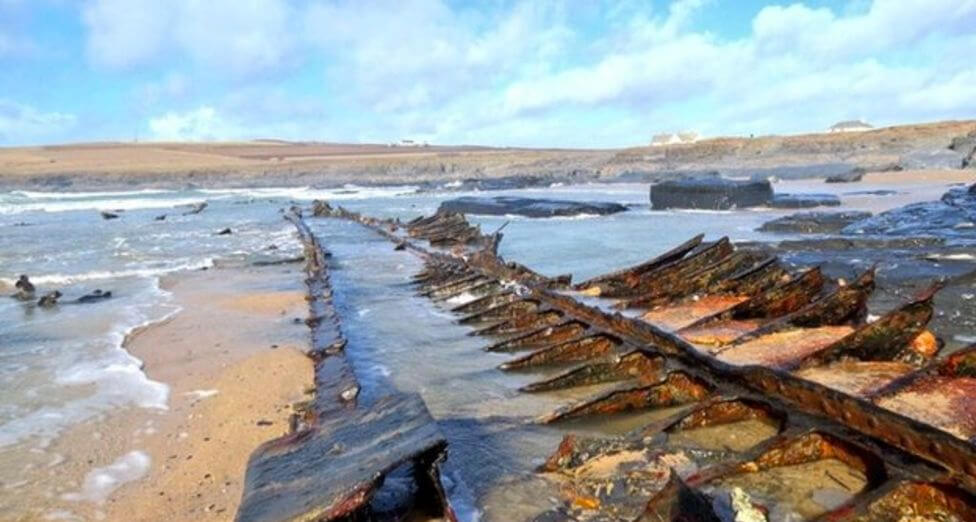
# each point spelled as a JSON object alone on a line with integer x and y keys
{"x": 233, "y": 358}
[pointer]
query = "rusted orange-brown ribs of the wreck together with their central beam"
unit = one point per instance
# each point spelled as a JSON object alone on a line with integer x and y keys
{"x": 858, "y": 425}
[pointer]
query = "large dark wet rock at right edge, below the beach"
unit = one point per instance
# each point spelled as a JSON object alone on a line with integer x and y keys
{"x": 952, "y": 217}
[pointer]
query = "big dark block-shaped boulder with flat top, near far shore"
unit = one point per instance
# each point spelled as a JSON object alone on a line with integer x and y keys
{"x": 710, "y": 193}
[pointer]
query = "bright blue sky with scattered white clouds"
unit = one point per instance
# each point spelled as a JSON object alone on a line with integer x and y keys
{"x": 563, "y": 73}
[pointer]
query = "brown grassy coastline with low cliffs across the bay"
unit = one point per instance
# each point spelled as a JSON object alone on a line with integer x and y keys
{"x": 257, "y": 163}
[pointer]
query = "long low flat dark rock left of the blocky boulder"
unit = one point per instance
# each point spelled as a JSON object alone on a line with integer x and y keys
{"x": 529, "y": 207}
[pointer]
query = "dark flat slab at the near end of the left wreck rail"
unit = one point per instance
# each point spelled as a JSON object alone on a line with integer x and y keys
{"x": 331, "y": 470}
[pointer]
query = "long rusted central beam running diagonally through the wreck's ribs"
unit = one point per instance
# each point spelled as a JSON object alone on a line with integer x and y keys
{"x": 825, "y": 406}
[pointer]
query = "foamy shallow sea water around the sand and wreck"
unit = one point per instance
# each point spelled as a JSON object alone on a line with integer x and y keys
{"x": 67, "y": 365}
